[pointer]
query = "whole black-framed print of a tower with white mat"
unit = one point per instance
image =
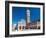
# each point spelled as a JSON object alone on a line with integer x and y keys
{"x": 24, "y": 18}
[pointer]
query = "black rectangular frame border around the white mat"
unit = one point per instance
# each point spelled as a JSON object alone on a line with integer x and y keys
{"x": 7, "y": 18}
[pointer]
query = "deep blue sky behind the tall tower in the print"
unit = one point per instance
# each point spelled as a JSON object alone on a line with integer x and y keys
{"x": 20, "y": 13}
